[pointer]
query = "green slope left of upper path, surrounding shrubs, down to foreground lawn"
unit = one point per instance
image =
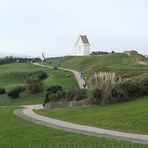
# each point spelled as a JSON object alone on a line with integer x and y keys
{"x": 12, "y": 75}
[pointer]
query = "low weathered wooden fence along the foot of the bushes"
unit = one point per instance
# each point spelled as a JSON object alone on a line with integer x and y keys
{"x": 67, "y": 104}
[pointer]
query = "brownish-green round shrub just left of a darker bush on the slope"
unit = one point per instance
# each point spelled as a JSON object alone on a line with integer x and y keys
{"x": 34, "y": 85}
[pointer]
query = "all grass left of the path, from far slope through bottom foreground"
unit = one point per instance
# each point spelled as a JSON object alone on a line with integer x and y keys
{"x": 16, "y": 132}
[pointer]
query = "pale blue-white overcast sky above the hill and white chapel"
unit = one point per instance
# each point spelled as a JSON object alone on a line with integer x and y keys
{"x": 30, "y": 27}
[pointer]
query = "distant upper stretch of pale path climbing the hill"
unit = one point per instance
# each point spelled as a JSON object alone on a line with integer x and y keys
{"x": 79, "y": 79}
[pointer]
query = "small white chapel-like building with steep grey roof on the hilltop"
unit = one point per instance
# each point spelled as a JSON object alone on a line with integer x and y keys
{"x": 82, "y": 46}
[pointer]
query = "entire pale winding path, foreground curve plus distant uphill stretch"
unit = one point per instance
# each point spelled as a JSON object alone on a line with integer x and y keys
{"x": 27, "y": 113}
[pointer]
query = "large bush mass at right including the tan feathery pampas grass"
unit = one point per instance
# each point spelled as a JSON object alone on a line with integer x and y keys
{"x": 123, "y": 90}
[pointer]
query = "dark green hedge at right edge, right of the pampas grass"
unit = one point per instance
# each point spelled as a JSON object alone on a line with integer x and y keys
{"x": 129, "y": 89}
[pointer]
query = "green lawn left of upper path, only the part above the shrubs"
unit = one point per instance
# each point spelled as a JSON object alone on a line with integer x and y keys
{"x": 13, "y": 74}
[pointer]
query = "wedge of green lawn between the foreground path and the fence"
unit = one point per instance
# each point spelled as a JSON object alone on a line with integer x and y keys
{"x": 128, "y": 117}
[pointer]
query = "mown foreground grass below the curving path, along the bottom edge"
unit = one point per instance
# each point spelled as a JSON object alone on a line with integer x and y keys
{"x": 19, "y": 133}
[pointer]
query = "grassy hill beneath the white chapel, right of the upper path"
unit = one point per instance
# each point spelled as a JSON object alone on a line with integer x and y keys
{"x": 120, "y": 63}
